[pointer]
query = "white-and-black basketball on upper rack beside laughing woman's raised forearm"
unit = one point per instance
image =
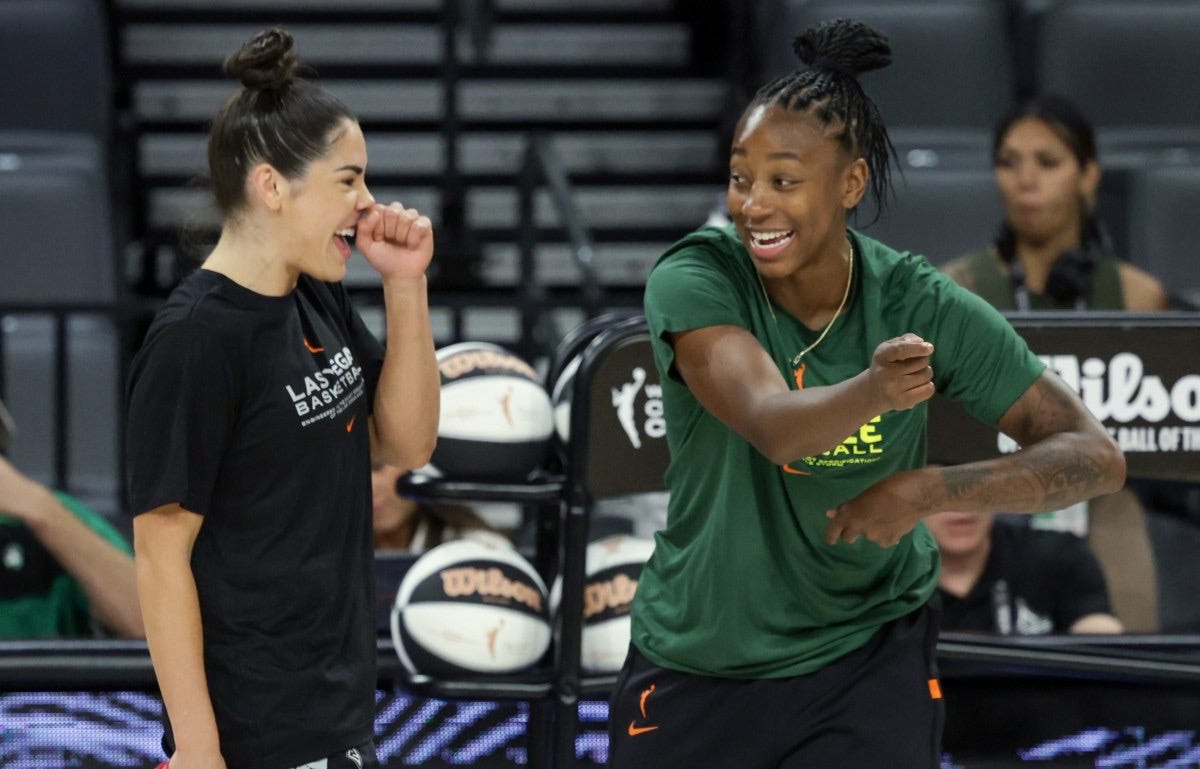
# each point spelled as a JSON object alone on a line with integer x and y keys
{"x": 496, "y": 418}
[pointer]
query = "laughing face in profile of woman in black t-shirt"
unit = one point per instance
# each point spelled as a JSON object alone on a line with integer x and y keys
{"x": 323, "y": 207}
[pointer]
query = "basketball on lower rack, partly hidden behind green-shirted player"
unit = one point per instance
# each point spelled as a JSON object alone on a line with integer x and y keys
{"x": 614, "y": 567}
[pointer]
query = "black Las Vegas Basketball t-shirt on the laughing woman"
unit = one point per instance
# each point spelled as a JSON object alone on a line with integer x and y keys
{"x": 253, "y": 412}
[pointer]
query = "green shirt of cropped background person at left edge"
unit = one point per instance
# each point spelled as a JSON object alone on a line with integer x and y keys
{"x": 39, "y": 599}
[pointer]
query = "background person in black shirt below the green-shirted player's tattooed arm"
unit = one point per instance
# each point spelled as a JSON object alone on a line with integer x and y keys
{"x": 1015, "y": 580}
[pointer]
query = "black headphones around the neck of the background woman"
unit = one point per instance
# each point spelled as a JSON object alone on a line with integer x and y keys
{"x": 1070, "y": 280}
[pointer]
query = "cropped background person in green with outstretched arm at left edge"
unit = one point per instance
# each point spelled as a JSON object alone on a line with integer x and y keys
{"x": 65, "y": 572}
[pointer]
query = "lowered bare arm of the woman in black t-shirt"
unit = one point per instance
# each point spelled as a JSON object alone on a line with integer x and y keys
{"x": 163, "y": 543}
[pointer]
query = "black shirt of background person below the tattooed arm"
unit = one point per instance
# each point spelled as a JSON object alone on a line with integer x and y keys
{"x": 1036, "y": 582}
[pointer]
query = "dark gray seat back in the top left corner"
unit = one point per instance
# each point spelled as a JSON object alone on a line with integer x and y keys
{"x": 57, "y": 67}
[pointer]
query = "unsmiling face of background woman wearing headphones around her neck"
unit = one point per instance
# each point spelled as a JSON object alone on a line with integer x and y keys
{"x": 1043, "y": 185}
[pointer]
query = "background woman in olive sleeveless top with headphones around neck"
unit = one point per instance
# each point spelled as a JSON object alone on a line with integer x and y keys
{"x": 1052, "y": 251}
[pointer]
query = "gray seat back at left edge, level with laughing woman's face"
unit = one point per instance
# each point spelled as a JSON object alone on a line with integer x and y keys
{"x": 57, "y": 242}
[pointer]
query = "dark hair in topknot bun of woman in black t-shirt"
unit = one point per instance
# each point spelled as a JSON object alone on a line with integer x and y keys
{"x": 274, "y": 118}
